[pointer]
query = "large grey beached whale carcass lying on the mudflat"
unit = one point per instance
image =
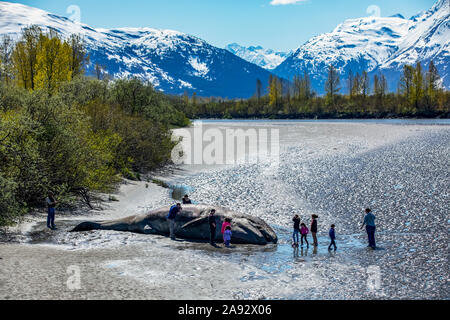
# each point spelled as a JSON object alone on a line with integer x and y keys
{"x": 191, "y": 224}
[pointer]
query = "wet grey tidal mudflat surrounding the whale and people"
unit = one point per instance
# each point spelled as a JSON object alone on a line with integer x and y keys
{"x": 334, "y": 169}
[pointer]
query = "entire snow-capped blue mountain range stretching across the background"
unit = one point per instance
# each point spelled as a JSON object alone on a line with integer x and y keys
{"x": 178, "y": 63}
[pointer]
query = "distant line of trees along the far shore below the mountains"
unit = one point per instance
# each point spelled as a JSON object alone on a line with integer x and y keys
{"x": 419, "y": 94}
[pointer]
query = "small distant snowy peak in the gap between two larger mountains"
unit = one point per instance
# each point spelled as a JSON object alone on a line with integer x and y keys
{"x": 265, "y": 58}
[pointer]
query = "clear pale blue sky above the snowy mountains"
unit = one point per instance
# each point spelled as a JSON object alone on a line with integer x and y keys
{"x": 276, "y": 24}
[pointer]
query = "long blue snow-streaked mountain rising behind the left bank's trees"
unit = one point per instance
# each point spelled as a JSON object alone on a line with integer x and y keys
{"x": 174, "y": 62}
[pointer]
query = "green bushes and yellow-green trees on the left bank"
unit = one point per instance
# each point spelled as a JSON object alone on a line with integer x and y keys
{"x": 61, "y": 131}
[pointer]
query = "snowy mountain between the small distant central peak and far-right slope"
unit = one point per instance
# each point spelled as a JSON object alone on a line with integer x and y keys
{"x": 357, "y": 45}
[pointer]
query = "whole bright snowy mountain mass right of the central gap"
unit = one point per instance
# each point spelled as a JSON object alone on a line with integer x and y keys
{"x": 375, "y": 44}
